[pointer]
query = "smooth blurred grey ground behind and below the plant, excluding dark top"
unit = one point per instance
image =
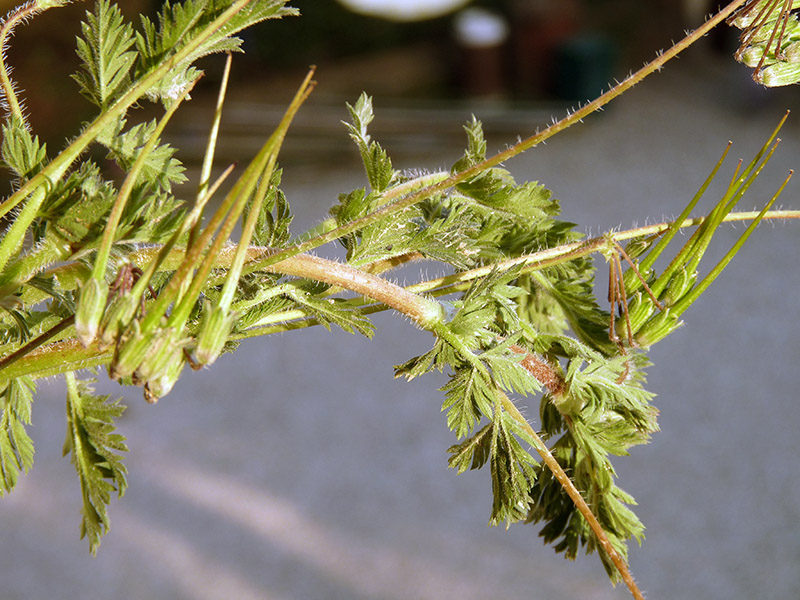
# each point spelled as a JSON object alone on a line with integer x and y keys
{"x": 299, "y": 469}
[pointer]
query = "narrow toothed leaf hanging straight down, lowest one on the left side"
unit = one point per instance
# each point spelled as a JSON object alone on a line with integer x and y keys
{"x": 95, "y": 452}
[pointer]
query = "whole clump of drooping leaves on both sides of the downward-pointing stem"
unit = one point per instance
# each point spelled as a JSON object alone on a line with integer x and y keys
{"x": 596, "y": 404}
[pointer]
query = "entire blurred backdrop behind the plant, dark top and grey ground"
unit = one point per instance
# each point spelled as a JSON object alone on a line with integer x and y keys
{"x": 297, "y": 468}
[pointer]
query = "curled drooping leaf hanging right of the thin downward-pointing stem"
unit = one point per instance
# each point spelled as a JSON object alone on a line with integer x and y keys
{"x": 604, "y": 412}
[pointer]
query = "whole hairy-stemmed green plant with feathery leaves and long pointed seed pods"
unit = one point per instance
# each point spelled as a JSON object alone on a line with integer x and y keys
{"x": 120, "y": 274}
